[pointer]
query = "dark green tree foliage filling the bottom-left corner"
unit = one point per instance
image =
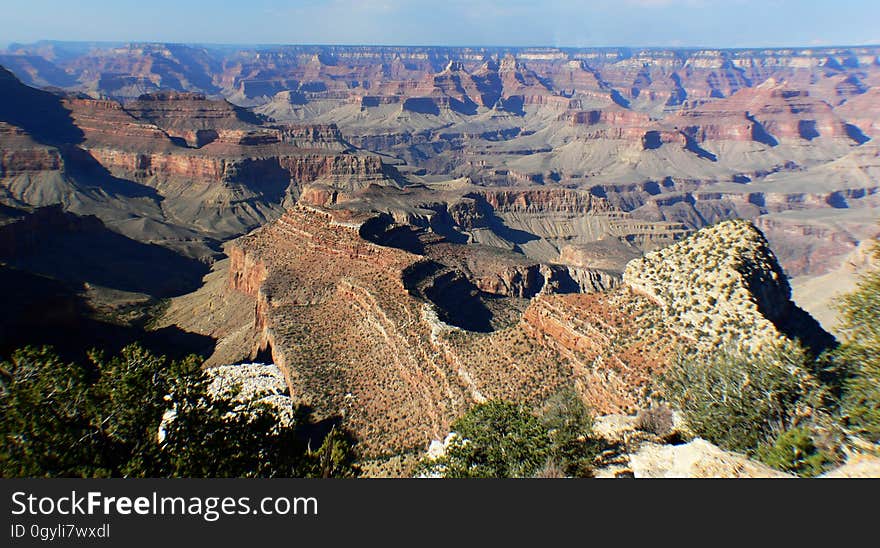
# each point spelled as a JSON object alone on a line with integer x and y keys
{"x": 101, "y": 419}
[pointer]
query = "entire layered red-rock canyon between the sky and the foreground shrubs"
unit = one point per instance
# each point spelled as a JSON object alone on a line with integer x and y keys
{"x": 407, "y": 231}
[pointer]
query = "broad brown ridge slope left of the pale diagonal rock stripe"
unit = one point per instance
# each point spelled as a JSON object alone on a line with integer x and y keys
{"x": 325, "y": 296}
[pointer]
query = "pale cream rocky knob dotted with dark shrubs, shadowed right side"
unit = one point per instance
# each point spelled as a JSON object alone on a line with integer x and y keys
{"x": 723, "y": 286}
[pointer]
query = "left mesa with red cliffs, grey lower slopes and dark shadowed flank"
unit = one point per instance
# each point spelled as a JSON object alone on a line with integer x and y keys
{"x": 170, "y": 167}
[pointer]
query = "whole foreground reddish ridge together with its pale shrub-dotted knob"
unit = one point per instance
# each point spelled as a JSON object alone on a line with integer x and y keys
{"x": 401, "y": 340}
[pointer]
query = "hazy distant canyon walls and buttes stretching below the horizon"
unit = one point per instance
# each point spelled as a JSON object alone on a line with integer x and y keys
{"x": 686, "y": 136}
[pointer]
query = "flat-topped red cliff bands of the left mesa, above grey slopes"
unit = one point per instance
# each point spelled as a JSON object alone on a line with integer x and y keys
{"x": 129, "y": 143}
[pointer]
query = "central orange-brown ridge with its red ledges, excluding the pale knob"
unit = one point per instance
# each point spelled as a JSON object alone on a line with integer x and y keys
{"x": 354, "y": 341}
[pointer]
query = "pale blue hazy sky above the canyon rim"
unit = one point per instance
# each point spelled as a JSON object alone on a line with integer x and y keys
{"x": 718, "y": 23}
